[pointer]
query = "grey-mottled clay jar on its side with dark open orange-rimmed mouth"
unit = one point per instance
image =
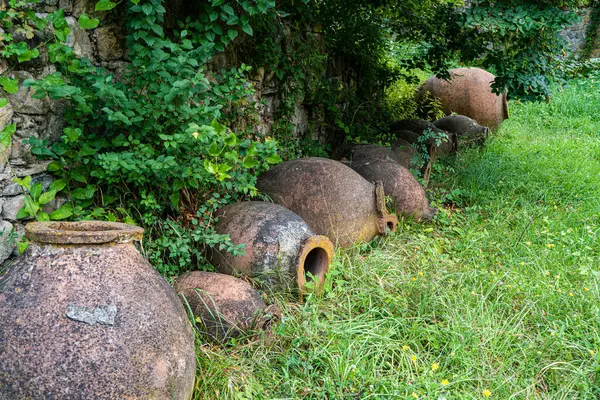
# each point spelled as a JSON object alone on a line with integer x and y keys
{"x": 281, "y": 249}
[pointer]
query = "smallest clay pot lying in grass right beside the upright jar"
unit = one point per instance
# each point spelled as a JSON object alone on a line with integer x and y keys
{"x": 226, "y": 306}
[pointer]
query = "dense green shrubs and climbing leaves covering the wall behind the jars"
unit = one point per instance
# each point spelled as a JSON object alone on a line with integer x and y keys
{"x": 171, "y": 138}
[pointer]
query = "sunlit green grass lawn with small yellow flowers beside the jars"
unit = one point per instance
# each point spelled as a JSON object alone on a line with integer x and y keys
{"x": 501, "y": 291}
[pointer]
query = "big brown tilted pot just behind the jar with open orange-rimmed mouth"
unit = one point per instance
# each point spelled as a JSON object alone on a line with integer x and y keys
{"x": 334, "y": 200}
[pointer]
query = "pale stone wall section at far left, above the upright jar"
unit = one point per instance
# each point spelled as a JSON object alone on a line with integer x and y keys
{"x": 43, "y": 119}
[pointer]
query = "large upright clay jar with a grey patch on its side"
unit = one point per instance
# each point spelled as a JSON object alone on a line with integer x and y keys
{"x": 84, "y": 316}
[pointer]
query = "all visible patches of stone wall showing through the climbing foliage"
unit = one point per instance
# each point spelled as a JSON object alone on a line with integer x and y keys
{"x": 43, "y": 119}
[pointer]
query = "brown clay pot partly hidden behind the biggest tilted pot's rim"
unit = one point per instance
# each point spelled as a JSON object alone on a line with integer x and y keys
{"x": 407, "y": 194}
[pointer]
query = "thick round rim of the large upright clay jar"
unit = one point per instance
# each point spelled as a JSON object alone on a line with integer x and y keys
{"x": 82, "y": 232}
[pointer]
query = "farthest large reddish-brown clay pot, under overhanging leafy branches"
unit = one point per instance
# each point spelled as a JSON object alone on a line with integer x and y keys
{"x": 469, "y": 92}
